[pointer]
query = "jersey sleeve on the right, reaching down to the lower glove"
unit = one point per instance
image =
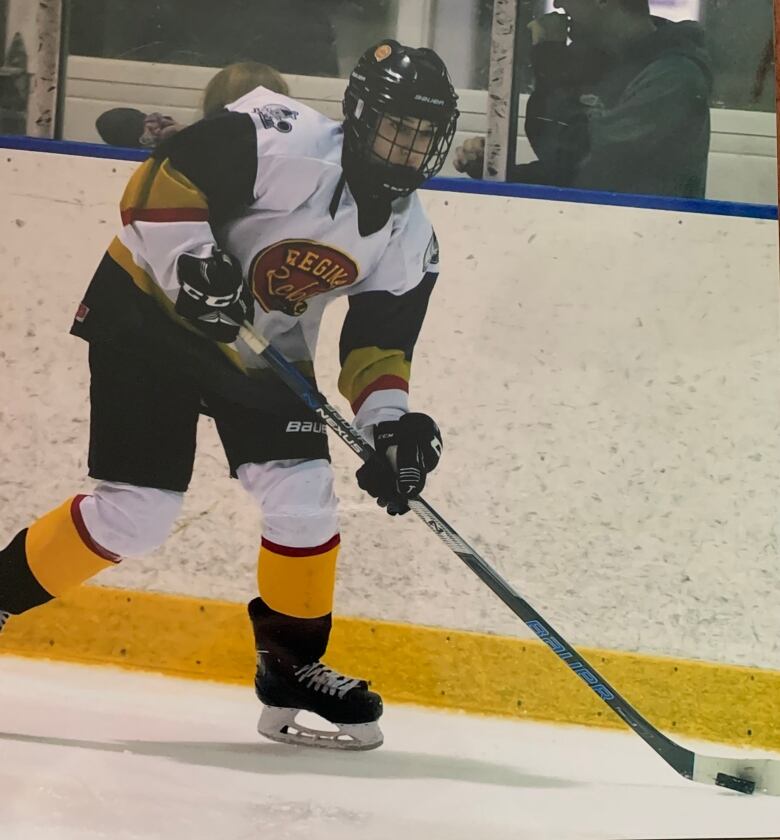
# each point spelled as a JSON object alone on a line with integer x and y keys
{"x": 383, "y": 323}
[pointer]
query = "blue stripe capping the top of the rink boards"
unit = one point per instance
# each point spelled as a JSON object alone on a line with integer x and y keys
{"x": 458, "y": 185}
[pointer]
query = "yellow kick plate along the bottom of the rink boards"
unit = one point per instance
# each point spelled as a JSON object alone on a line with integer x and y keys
{"x": 427, "y": 666}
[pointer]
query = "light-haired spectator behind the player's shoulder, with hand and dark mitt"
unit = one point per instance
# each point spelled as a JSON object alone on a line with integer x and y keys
{"x": 132, "y": 128}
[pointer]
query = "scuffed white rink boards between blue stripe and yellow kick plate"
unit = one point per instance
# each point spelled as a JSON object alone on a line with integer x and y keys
{"x": 606, "y": 380}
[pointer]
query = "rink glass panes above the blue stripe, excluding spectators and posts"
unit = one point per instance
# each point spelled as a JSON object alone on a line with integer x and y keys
{"x": 158, "y": 56}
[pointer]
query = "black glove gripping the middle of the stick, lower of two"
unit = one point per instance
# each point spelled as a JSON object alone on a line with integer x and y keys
{"x": 407, "y": 449}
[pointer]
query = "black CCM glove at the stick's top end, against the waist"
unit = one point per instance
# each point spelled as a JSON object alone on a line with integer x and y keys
{"x": 213, "y": 294}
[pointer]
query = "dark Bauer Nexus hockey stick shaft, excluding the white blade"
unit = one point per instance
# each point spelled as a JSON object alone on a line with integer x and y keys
{"x": 678, "y": 757}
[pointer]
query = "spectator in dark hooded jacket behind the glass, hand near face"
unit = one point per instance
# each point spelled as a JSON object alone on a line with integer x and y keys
{"x": 622, "y": 106}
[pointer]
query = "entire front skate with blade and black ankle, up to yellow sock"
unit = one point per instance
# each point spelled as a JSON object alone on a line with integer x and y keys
{"x": 291, "y": 679}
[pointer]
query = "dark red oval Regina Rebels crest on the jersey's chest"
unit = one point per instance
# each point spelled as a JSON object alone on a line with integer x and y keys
{"x": 285, "y": 275}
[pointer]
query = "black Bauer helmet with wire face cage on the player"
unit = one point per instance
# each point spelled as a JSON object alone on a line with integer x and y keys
{"x": 399, "y": 118}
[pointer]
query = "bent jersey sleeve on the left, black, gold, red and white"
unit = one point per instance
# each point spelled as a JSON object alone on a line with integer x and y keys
{"x": 175, "y": 198}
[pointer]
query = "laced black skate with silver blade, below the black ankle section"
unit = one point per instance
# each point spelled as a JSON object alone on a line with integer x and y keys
{"x": 346, "y": 703}
